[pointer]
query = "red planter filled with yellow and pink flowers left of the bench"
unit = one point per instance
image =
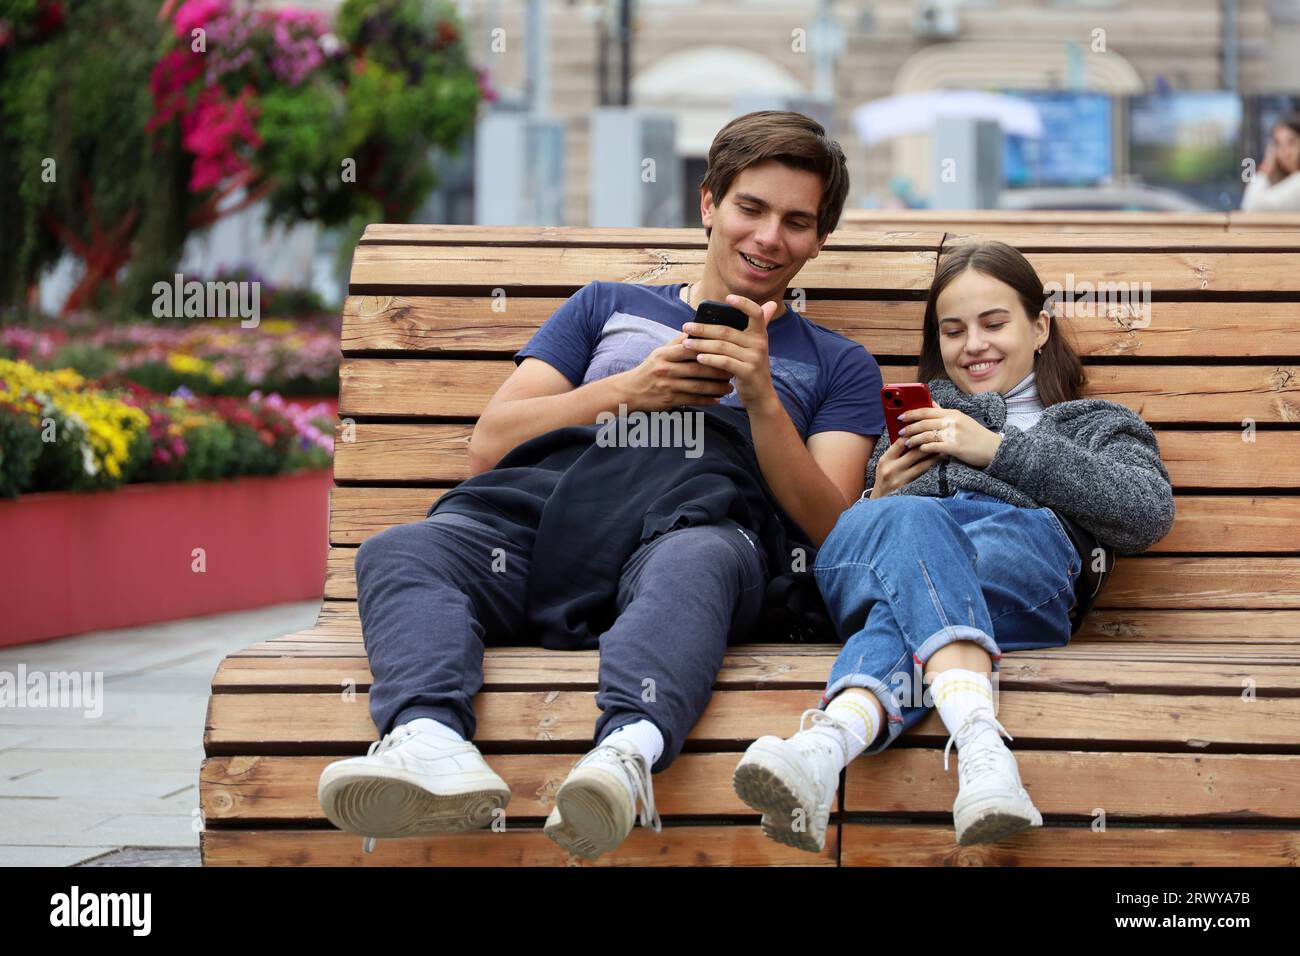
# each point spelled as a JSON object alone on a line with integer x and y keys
{"x": 120, "y": 521}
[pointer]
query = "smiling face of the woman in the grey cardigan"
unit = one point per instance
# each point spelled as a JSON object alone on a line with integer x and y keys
{"x": 986, "y": 338}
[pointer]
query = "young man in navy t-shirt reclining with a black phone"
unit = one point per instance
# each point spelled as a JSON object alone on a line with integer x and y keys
{"x": 808, "y": 410}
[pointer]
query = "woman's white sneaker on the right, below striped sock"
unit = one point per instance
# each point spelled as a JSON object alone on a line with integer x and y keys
{"x": 991, "y": 802}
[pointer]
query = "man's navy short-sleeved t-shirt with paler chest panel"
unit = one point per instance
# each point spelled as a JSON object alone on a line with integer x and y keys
{"x": 826, "y": 382}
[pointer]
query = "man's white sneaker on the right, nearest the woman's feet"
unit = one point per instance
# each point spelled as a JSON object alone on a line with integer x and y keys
{"x": 593, "y": 810}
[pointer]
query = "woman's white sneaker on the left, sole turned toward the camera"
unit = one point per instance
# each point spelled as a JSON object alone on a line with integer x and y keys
{"x": 794, "y": 782}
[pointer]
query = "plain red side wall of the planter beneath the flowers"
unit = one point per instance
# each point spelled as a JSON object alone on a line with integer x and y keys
{"x": 85, "y": 561}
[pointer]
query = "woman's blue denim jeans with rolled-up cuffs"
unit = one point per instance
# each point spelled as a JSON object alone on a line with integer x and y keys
{"x": 905, "y": 576}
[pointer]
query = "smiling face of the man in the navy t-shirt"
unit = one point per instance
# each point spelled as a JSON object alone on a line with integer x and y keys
{"x": 768, "y": 219}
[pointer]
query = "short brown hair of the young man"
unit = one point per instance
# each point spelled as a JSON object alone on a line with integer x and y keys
{"x": 791, "y": 139}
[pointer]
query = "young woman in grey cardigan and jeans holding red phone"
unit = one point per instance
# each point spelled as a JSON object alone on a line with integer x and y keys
{"x": 960, "y": 552}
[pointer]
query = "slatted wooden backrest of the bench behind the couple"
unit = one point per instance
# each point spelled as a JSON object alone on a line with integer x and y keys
{"x": 435, "y": 315}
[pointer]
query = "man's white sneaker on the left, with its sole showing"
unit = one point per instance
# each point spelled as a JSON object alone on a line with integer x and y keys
{"x": 411, "y": 784}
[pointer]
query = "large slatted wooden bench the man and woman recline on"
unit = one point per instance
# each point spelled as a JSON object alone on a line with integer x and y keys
{"x": 1176, "y": 712}
